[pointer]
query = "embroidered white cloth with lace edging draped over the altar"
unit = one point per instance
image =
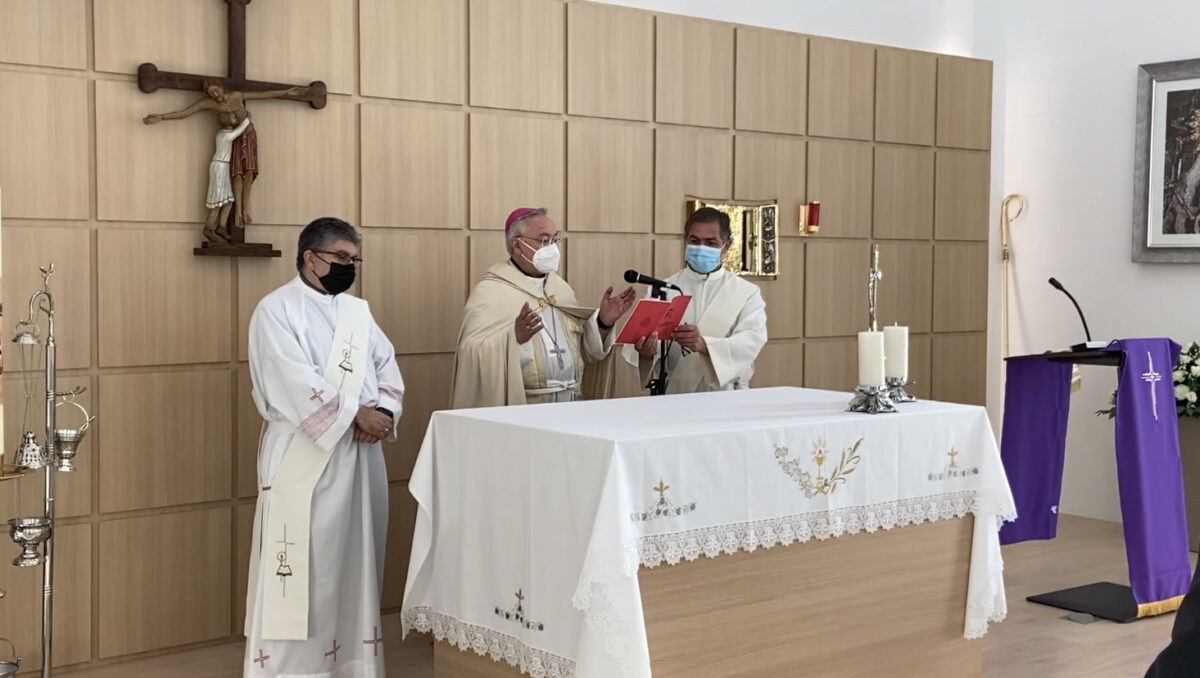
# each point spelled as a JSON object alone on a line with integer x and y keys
{"x": 533, "y": 520}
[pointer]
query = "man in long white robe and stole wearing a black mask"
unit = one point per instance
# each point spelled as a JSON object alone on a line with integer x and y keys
{"x": 327, "y": 383}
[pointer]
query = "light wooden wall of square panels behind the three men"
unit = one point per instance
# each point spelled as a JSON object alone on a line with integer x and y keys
{"x": 443, "y": 116}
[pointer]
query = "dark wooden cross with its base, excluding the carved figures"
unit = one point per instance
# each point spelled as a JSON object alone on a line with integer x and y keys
{"x": 152, "y": 80}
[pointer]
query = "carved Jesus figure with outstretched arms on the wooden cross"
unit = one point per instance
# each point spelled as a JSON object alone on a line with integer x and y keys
{"x": 244, "y": 161}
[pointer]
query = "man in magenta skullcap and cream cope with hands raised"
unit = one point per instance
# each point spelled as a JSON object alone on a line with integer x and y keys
{"x": 525, "y": 338}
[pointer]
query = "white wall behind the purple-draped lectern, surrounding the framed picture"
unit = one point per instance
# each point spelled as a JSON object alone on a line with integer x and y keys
{"x": 1070, "y": 145}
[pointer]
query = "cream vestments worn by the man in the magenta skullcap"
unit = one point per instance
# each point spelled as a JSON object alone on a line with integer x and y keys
{"x": 565, "y": 362}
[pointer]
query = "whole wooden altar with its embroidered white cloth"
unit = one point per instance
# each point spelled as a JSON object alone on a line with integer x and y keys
{"x": 764, "y": 532}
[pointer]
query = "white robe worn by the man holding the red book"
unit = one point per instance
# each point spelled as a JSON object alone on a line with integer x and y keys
{"x": 731, "y": 316}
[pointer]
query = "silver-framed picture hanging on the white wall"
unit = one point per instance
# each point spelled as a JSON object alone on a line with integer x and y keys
{"x": 1167, "y": 165}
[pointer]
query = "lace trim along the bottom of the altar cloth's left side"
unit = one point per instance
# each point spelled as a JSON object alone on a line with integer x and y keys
{"x": 487, "y": 643}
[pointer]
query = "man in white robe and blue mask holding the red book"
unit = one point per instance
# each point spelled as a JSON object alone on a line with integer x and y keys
{"x": 725, "y": 326}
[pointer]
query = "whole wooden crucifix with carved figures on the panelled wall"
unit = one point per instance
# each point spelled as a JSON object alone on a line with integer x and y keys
{"x": 235, "y": 165}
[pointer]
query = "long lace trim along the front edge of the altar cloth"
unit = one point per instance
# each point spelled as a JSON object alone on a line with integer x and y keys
{"x": 712, "y": 542}
